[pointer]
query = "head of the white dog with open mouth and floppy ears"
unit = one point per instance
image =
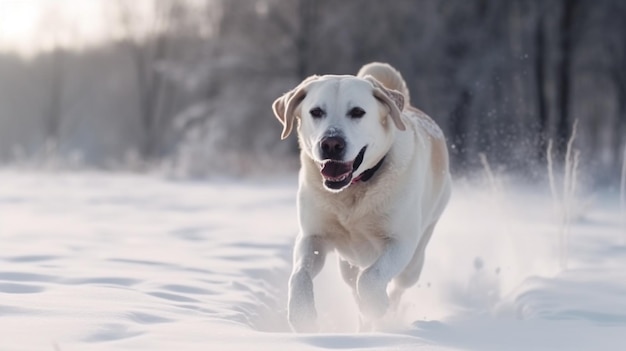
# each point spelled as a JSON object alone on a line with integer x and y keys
{"x": 346, "y": 124}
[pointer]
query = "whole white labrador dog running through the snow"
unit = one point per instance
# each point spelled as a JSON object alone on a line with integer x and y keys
{"x": 373, "y": 182}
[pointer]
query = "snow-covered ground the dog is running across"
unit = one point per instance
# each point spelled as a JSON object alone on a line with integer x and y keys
{"x": 93, "y": 261}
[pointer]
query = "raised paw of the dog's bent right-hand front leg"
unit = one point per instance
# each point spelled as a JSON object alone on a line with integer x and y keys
{"x": 373, "y": 299}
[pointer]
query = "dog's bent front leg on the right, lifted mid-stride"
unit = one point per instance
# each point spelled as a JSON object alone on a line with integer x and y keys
{"x": 372, "y": 282}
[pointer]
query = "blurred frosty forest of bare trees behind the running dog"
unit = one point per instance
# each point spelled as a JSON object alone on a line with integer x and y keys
{"x": 188, "y": 85}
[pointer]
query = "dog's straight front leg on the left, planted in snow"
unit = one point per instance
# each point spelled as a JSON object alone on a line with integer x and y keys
{"x": 308, "y": 259}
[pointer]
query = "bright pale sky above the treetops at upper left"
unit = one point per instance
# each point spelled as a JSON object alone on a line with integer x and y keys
{"x": 30, "y": 26}
